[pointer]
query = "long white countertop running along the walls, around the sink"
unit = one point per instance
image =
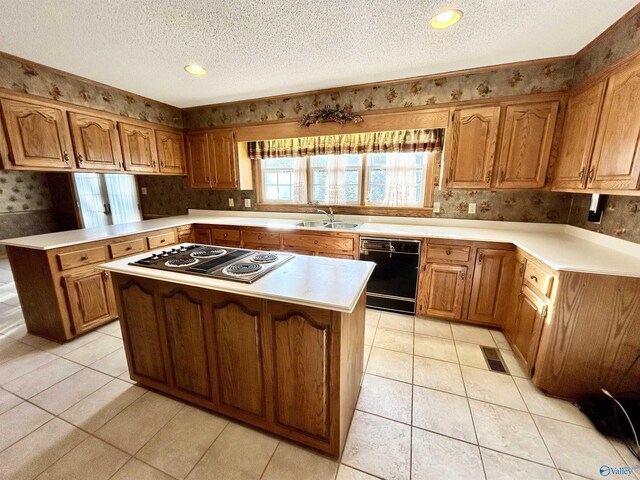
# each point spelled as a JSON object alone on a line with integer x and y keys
{"x": 562, "y": 247}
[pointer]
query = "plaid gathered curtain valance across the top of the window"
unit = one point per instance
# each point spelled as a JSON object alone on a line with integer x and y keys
{"x": 374, "y": 142}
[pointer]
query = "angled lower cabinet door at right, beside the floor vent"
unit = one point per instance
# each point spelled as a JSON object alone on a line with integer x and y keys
{"x": 530, "y": 315}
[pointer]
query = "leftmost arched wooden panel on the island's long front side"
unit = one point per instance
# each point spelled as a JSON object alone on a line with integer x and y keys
{"x": 139, "y": 319}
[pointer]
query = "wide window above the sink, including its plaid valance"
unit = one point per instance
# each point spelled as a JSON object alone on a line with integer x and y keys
{"x": 397, "y": 169}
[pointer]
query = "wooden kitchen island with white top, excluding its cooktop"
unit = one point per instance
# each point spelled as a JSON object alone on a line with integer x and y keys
{"x": 284, "y": 353}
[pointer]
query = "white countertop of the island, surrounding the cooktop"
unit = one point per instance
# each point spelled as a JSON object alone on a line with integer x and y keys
{"x": 331, "y": 283}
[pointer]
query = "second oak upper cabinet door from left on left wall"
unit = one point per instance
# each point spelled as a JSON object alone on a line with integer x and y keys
{"x": 96, "y": 142}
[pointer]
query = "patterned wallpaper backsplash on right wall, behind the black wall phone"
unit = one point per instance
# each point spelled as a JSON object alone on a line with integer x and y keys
{"x": 620, "y": 219}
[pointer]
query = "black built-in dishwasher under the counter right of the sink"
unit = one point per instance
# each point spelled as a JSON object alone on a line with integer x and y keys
{"x": 394, "y": 283}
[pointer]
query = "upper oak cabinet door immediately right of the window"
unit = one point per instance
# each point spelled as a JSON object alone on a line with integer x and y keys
{"x": 474, "y": 132}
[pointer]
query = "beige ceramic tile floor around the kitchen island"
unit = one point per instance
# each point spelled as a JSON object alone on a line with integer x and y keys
{"x": 429, "y": 408}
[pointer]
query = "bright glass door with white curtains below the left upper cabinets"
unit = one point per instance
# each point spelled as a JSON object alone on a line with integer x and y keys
{"x": 106, "y": 199}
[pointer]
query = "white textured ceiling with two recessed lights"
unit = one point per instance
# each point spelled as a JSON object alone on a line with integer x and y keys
{"x": 269, "y": 47}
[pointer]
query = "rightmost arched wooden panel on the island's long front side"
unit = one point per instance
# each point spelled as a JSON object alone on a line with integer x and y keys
{"x": 302, "y": 355}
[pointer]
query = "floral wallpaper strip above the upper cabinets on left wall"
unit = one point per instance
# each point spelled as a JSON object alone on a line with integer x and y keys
{"x": 27, "y": 77}
